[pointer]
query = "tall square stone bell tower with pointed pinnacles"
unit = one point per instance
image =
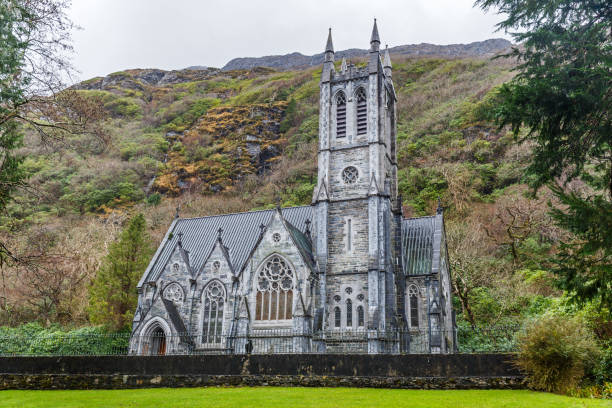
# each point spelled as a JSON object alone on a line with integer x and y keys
{"x": 355, "y": 201}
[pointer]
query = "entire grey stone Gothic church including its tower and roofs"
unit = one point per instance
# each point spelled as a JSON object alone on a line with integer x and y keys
{"x": 346, "y": 273}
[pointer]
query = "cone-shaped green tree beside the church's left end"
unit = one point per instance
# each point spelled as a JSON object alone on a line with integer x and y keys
{"x": 112, "y": 295}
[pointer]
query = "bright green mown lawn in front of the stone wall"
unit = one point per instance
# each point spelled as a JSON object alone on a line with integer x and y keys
{"x": 292, "y": 397}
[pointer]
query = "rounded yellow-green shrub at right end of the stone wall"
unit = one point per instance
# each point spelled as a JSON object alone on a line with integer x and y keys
{"x": 555, "y": 352}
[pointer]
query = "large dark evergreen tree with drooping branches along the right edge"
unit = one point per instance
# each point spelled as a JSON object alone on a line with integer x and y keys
{"x": 562, "y": 97}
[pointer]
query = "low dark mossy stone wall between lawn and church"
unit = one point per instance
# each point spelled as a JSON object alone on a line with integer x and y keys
{"x": 458, "y": 371}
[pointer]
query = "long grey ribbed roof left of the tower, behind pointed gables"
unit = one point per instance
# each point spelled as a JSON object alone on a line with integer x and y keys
{"x": 240, "y": 234}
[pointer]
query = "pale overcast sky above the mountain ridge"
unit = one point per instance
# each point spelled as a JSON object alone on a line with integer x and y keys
{"x": 122, "y": 34}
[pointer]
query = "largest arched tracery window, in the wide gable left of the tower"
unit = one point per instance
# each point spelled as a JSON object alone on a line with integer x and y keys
{"x": 274, "y": 290}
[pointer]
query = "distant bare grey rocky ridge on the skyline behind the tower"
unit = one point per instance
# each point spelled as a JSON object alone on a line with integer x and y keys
{"x": 296, "y": 60}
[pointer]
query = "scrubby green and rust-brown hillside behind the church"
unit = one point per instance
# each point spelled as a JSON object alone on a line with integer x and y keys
{"x": 214, "y": 141}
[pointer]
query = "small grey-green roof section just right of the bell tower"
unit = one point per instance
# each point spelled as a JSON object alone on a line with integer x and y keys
{"x": 417, "y": 245}
